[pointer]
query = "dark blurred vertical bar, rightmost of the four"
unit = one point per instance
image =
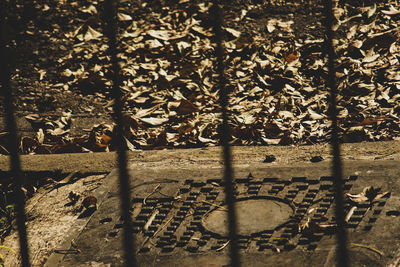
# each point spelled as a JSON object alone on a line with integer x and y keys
{"x": 342, "y": 255}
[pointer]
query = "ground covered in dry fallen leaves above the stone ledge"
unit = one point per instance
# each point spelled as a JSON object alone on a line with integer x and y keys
{"x": 275, "y": 68}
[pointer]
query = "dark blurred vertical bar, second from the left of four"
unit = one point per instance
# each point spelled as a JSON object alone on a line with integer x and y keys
{"x": 111, "y": 32}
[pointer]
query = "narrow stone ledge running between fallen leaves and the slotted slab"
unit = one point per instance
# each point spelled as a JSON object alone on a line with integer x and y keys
{"x": 285, "y": 156}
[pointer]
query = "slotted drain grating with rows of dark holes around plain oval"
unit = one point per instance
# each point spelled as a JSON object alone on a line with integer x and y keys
{"x": 172, "y": 224}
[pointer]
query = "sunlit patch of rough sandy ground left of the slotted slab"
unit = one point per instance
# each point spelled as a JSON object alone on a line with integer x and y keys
{"x": 50, "y": 216}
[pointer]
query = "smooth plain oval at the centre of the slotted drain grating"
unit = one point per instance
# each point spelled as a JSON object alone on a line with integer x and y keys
{"x": 252, "y": 215}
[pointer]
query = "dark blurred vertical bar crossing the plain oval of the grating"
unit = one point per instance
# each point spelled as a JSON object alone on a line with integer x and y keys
{"x": 224, "y": 137}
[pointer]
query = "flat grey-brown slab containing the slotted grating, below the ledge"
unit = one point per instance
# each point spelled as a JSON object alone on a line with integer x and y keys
{"x": 174, "y": 213}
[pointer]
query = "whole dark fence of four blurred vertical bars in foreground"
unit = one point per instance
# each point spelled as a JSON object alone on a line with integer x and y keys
{"x": 111, "y": 33}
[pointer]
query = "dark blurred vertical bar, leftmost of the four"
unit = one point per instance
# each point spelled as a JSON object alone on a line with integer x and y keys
{"x": 12, "y": 136}
